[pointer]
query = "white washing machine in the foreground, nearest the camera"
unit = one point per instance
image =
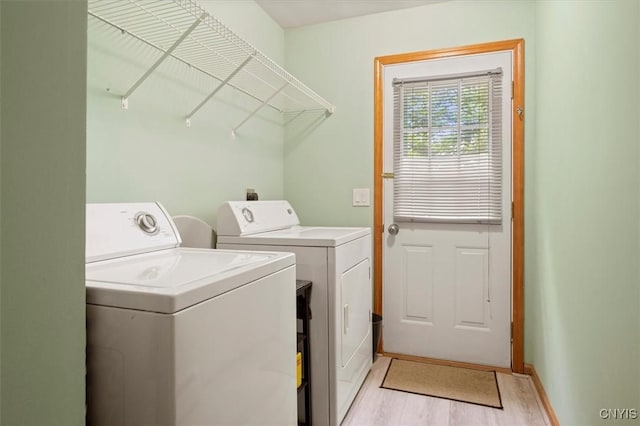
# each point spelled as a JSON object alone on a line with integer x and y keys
{"x": 179, "y": 336}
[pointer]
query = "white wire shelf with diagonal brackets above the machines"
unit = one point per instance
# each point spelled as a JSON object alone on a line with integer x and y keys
{"x": 183, "y": 30}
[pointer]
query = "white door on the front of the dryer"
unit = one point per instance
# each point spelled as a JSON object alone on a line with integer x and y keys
{"x": 355, "y": 289}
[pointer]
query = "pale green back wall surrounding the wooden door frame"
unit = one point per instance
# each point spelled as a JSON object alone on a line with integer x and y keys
{"x": 336, "y": 59}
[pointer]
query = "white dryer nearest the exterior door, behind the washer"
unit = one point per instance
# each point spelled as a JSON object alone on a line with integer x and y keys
{"x": 338, "y": 262}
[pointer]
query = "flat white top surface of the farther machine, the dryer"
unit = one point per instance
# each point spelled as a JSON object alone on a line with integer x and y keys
{"x": 310, "y": 236}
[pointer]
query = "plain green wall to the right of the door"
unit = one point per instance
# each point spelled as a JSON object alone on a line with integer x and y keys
{"x": 583, "y": 307}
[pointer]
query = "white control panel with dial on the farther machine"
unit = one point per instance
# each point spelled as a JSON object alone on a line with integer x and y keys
{"x": 238, "y": 218}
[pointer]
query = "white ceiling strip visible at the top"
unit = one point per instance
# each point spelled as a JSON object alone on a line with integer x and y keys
{"x": 297, "y": 13}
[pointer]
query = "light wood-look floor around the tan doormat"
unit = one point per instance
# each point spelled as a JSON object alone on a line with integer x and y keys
{"x": 376, "y": 406}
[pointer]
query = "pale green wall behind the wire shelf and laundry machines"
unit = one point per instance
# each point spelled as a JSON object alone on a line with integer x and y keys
{"x": 147, "y": 153}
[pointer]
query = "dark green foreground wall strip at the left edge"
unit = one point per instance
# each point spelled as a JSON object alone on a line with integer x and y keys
{"x": 42, "y": 193}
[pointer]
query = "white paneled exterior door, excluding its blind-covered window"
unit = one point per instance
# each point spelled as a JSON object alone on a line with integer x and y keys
{"x": 447, "y": 286}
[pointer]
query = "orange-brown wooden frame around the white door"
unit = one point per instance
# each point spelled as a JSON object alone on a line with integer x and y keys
{"x": 517, "y": 175}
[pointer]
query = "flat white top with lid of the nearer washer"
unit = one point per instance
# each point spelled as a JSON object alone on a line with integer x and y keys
{"x": 167, "y": 281}
